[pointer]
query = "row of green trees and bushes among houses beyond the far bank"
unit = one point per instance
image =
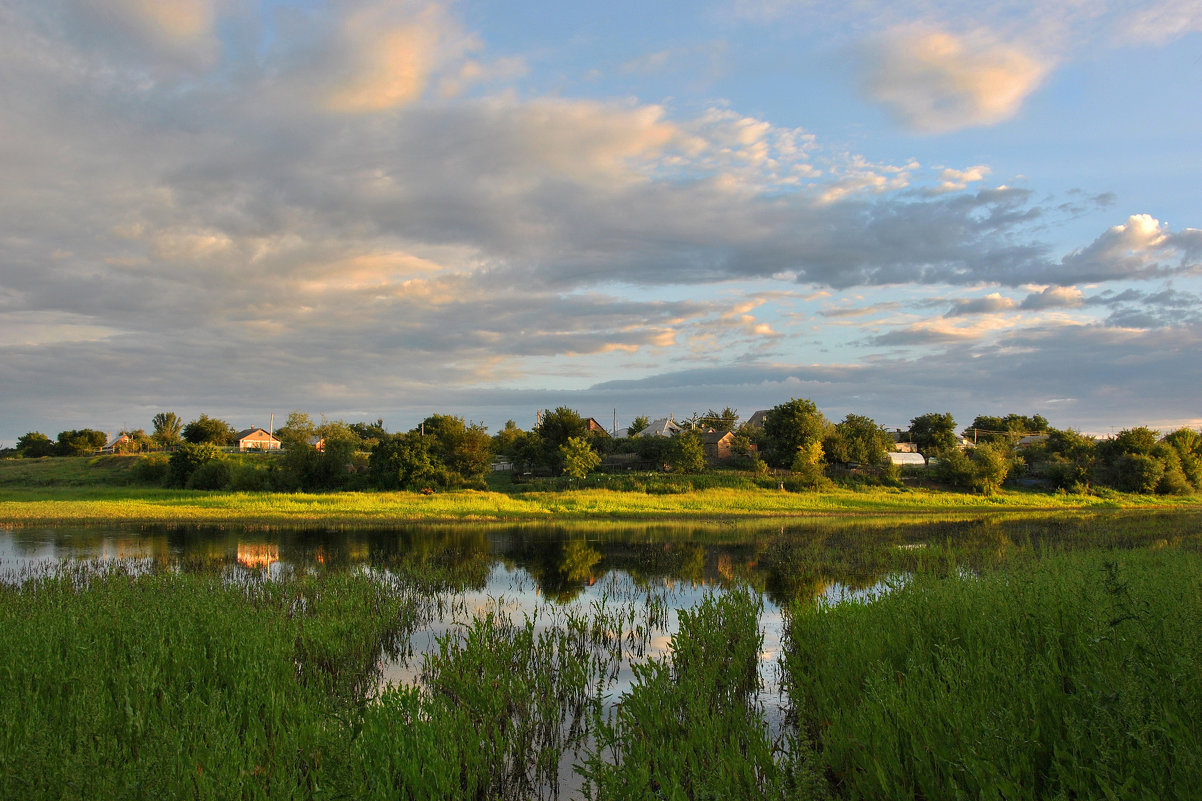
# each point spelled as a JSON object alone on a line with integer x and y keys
{"x": 794, "y": 441}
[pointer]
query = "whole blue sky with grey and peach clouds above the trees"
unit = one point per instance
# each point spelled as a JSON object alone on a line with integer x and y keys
{"x": 385, "y": 210}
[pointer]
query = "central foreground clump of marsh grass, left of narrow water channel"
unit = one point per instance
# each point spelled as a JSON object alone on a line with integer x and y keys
{"x": 691, "y": 728}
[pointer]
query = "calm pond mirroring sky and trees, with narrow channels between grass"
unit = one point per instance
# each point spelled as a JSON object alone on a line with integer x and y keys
{"x": 629, "y": 583}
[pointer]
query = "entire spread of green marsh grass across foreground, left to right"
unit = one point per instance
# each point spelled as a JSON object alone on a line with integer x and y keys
{"x": 1066, "y": 675}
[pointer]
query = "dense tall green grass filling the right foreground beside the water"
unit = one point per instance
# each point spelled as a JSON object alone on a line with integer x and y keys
{"x": 1074, "y": 677}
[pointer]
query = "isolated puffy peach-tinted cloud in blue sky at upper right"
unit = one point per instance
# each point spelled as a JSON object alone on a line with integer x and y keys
{"x": 936, "y": 82}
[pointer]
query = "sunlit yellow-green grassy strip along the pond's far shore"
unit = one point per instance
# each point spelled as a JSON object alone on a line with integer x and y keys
{"x": 87, "y": 506}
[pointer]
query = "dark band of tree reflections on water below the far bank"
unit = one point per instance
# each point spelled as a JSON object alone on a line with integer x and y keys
{"x": 795, "y": 561}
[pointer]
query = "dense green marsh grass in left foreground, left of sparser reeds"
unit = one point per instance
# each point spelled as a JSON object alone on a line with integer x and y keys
{"x": 180, "y": 685}
